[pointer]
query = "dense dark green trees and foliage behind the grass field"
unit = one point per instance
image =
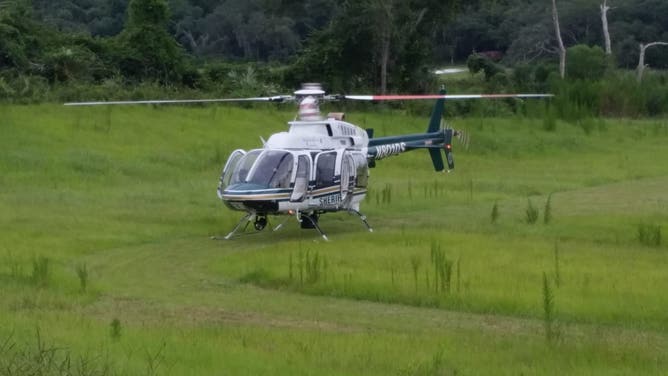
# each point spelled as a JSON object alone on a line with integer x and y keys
{"x": 69, "y": 49}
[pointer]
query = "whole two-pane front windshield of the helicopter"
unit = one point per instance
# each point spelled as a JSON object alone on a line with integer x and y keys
{"x": 269, "y": 168}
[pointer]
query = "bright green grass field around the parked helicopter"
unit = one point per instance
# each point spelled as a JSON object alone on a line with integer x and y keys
{"x": 107, "y": 266}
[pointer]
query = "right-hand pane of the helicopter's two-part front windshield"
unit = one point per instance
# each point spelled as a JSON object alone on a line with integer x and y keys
{"x": 273, "y": 169}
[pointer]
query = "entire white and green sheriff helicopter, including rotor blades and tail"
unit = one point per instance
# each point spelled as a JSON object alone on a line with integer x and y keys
{"x": 321, "y": 164}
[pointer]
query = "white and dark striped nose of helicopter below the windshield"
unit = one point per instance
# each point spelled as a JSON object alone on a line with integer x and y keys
{"x": 253, "y": 197}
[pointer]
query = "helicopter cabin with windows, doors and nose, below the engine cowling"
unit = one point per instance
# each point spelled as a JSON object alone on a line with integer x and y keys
{"x": 274, "y": 181}
